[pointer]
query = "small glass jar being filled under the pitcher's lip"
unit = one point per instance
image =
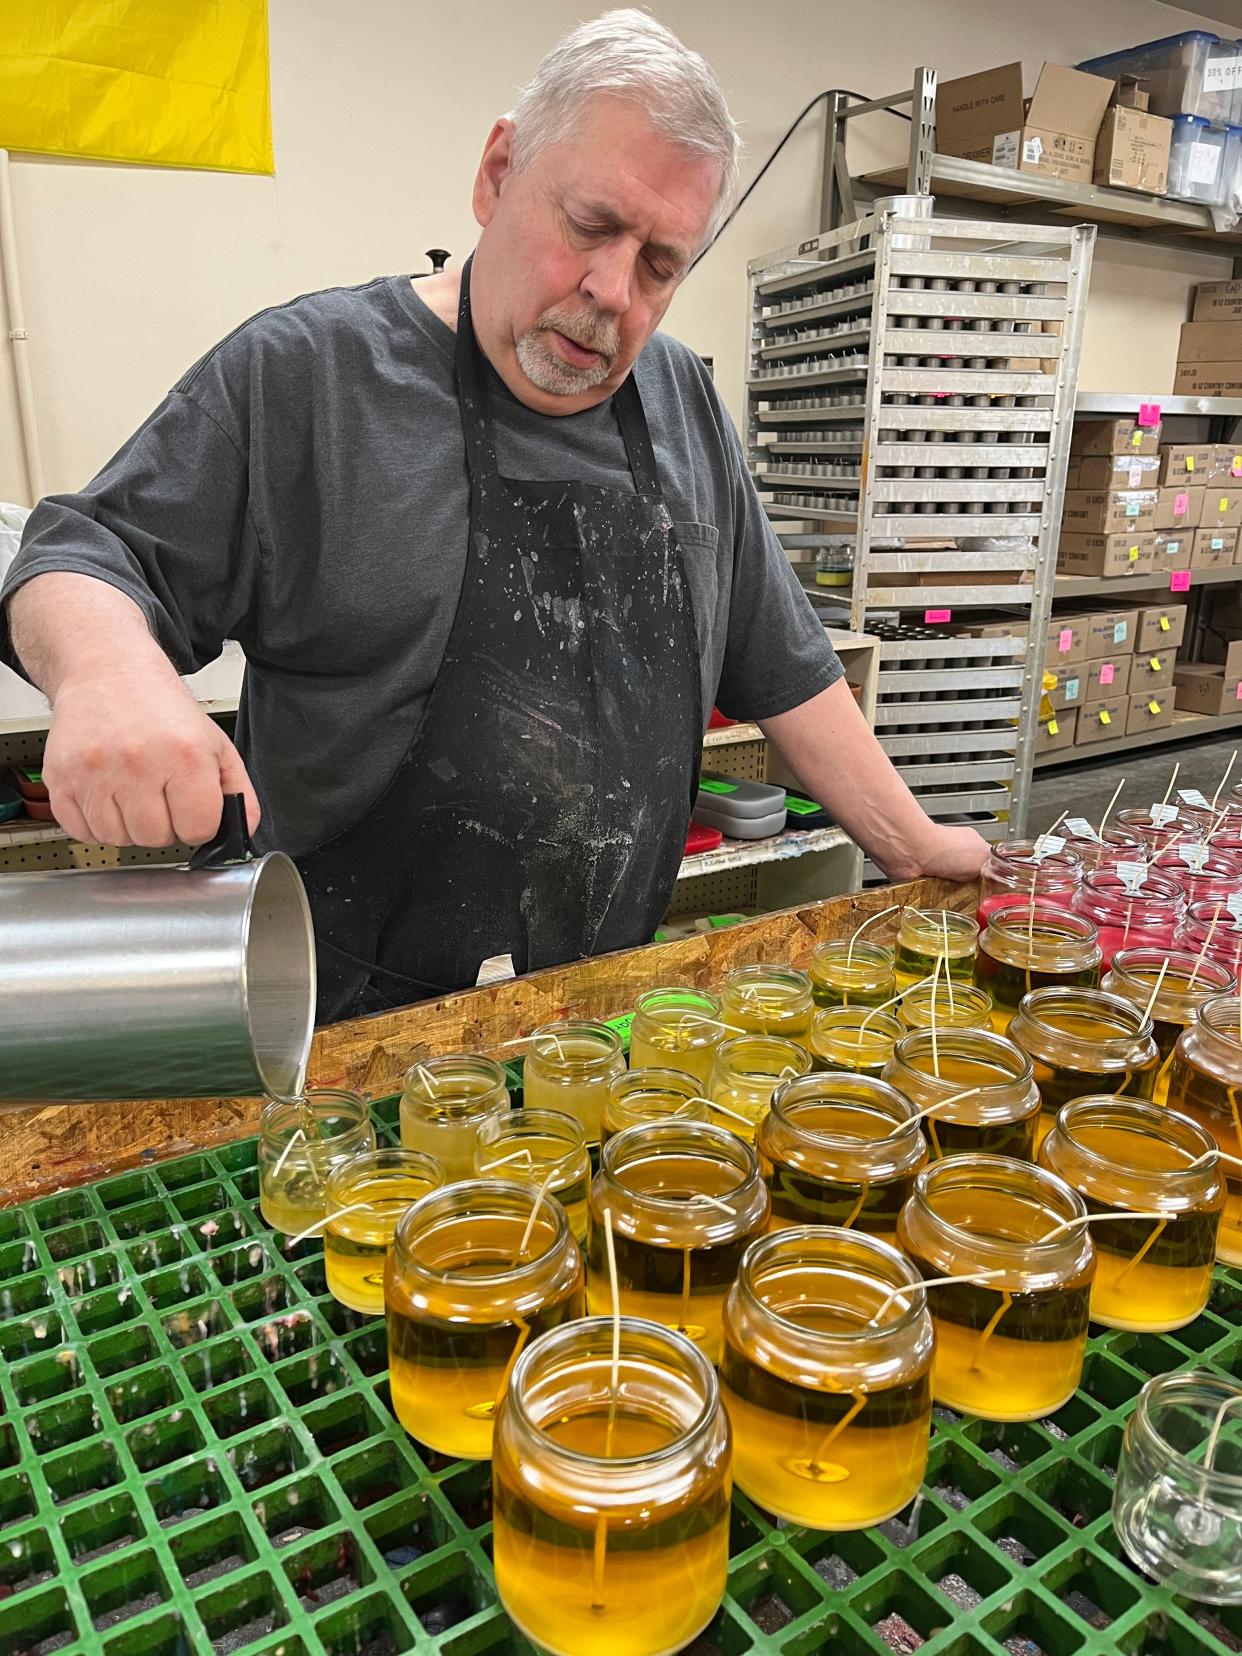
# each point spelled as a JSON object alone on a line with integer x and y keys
{"x": 301, "y": 1143}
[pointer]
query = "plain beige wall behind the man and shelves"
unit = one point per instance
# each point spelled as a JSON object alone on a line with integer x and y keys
{"x": 380, "y": 112}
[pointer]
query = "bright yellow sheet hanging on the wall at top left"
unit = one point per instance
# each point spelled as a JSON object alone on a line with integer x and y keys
{"x": 173, "y": 84}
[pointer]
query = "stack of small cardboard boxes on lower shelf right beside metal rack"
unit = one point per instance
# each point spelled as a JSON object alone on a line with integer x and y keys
{"x": 1114, "y": 673}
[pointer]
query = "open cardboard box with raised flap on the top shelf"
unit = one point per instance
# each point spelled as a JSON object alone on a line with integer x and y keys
{"x": 981, "y": 117}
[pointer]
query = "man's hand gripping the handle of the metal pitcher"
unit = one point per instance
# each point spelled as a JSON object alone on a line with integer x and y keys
{"x": 132, "y": 759}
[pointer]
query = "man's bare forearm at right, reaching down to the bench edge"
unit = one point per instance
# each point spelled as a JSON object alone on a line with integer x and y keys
{"x": 835, "y": 754}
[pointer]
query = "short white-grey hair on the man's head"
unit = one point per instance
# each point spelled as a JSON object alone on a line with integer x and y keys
{"x": 630, "y": 55}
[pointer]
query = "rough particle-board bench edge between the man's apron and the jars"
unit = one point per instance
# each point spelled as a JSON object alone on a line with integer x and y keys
{"x": 44, "y": 1148}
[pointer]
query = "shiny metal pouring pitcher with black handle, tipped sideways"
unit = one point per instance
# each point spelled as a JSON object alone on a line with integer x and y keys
{"x": 158, "y": 983}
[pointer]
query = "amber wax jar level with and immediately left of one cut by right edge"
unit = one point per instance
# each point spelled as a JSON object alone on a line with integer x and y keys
{"x": 1081, "y": 1042}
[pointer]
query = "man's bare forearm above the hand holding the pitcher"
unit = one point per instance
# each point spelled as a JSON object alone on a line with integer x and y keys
{"x": 70, "y": 628}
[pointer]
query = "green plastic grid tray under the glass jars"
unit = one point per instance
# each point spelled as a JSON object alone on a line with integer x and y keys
{"x": 198, "y": 1456}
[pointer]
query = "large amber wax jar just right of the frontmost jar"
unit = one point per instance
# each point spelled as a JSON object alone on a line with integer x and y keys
{"x": 827, "y": 1379}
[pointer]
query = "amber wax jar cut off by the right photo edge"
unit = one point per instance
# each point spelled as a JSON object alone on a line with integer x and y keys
{"x": 1206, "y": 1086}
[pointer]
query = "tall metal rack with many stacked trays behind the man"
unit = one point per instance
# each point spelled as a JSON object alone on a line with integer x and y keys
{"x": 910, "y": 392}
